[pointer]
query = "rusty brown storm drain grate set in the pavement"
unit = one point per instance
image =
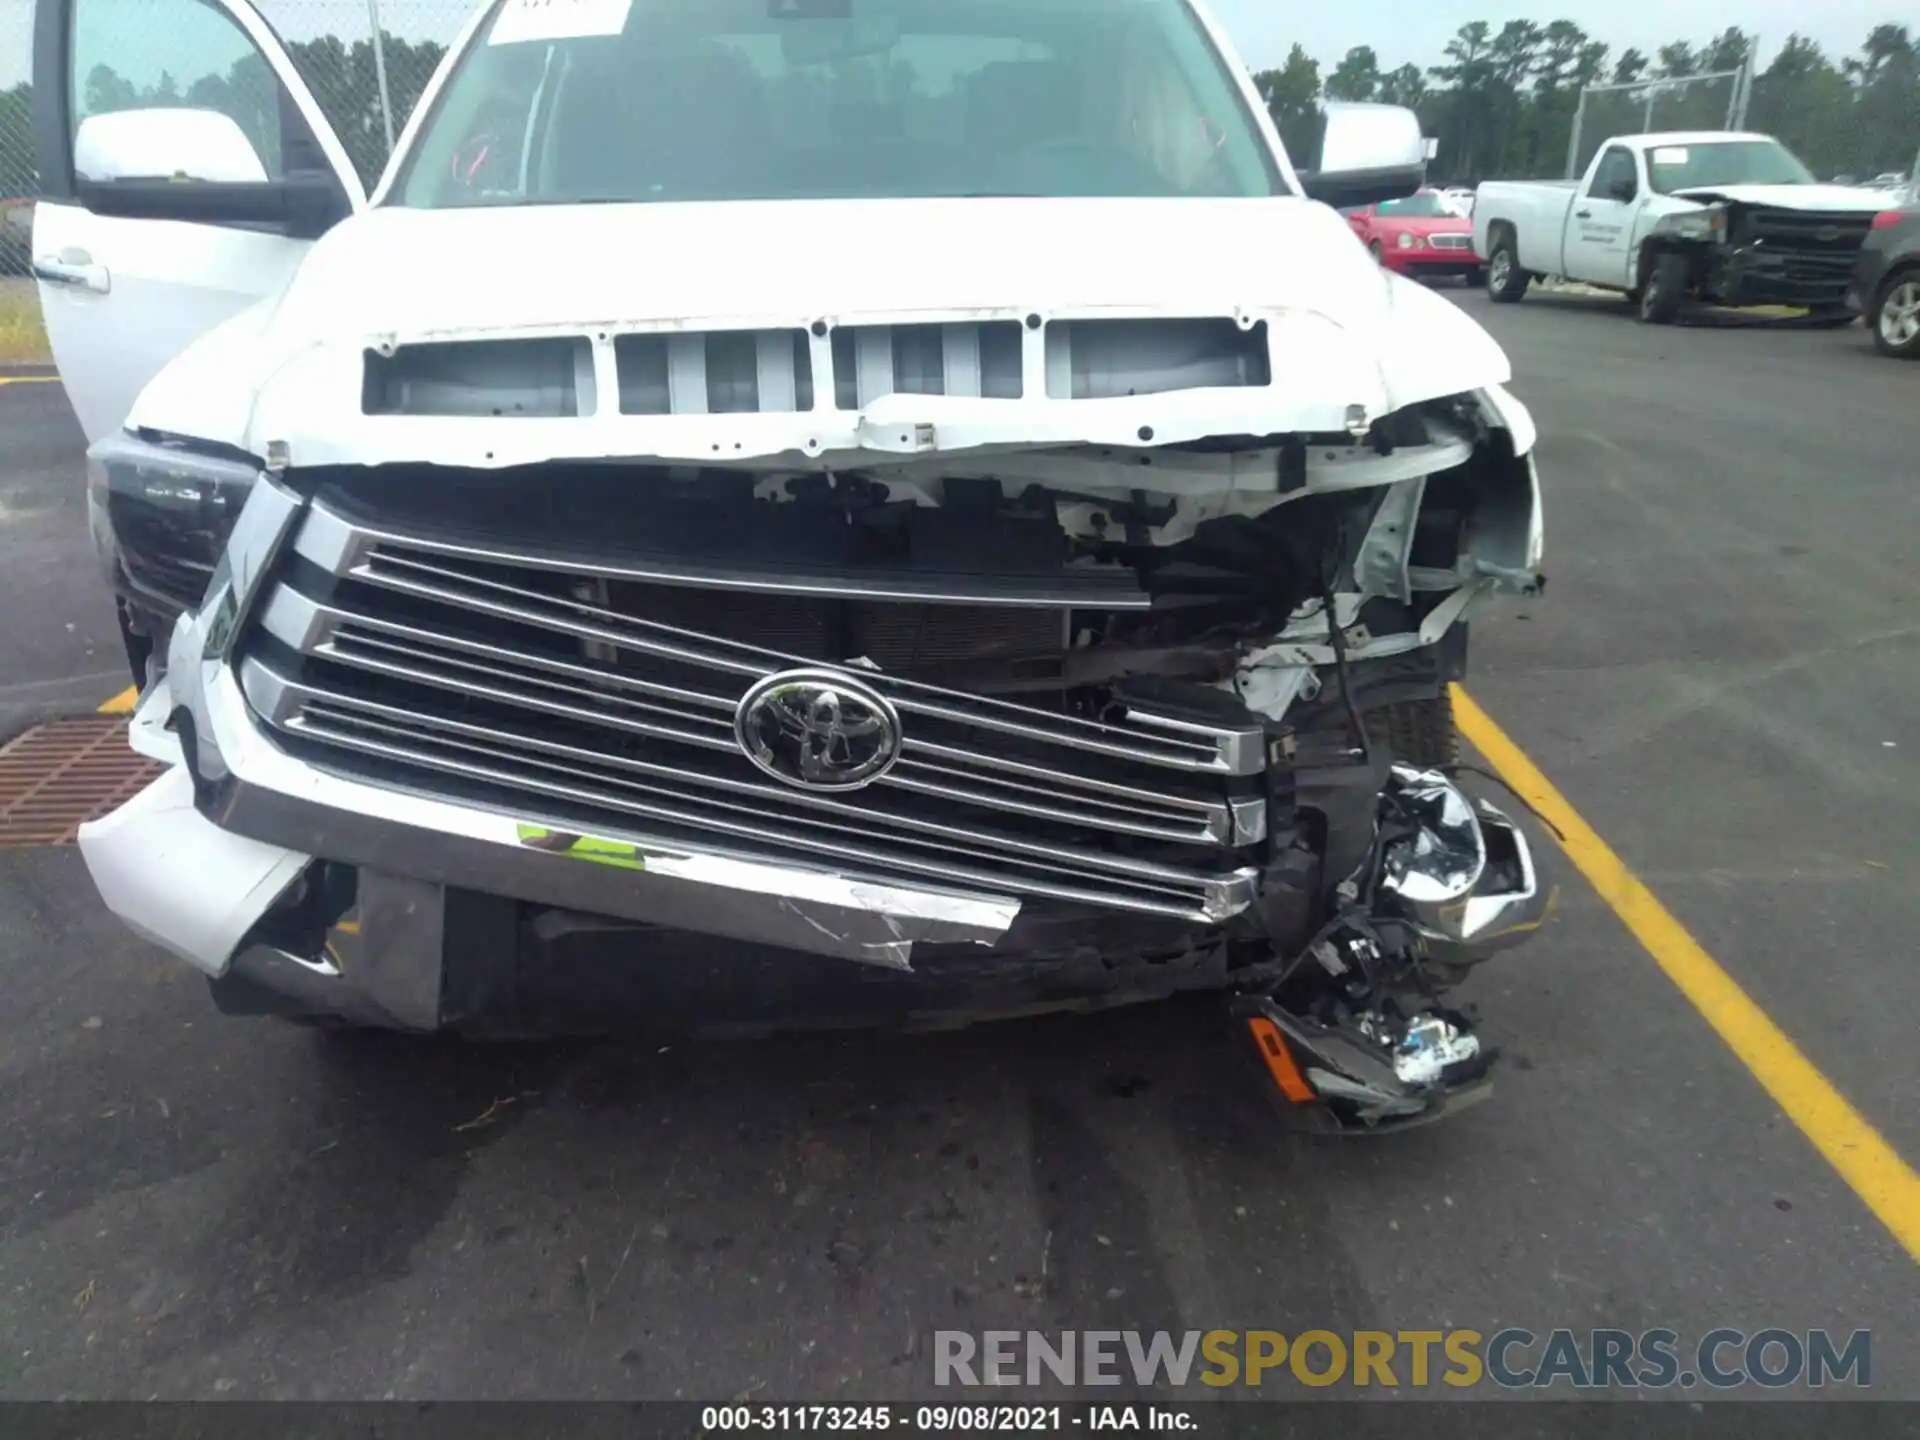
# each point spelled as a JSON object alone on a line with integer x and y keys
{"x": 66, "y": 773}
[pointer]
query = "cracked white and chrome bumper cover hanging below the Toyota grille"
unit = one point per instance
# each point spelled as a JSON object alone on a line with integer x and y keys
{"x": 199, "y": 888}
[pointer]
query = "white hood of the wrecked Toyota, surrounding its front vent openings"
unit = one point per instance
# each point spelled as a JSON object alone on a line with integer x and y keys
{"x": 1343, "y": 333}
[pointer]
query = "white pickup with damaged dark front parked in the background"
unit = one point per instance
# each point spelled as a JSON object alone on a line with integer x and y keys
{"x": 1714, "y": 216}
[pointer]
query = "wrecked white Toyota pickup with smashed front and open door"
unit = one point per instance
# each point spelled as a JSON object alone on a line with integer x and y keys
{"x": 782, "y": 512}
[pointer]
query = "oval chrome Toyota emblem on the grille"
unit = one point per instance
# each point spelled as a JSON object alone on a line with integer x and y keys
{"x": 819, "y": 731}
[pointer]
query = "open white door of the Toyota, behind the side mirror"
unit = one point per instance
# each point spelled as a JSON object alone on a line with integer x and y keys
{"x": 122, "y": 295}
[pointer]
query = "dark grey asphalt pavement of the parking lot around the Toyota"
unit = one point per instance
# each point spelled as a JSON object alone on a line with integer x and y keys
{"x": 1721, "y": 677}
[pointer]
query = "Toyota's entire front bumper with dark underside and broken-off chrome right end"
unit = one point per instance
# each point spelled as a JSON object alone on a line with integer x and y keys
{"x": 454, "y": 911}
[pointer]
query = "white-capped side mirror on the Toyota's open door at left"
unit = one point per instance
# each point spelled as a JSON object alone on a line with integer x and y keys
{"x": 195, "y": 166}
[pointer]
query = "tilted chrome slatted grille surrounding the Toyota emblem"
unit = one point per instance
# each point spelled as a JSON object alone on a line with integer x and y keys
{"x": 408, "y": 661}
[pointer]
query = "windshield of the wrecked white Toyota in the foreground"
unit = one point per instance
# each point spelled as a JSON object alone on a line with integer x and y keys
{"x": 663, "y": 101}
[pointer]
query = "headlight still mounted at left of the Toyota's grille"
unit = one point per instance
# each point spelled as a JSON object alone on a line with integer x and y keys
{"x": 160, "y": 514}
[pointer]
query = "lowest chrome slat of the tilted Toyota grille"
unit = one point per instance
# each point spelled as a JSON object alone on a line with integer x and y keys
{"x": 1199, "y": 898}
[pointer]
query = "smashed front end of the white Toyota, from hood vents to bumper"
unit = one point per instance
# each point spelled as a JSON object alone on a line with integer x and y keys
{"x": 1088, "y": 698}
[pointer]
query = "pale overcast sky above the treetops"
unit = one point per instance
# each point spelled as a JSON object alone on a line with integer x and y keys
{"x": 1399, "y": 30}
